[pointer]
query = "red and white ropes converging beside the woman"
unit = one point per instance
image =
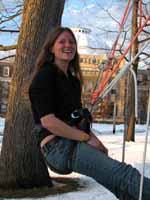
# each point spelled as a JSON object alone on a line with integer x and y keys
{"x": 106, "y": 81}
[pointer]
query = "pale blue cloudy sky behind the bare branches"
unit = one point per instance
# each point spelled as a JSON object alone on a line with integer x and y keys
{"x": 91, "y": 14}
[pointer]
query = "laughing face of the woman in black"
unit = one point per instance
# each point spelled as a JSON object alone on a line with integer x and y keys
{"x": 64, "y": 48}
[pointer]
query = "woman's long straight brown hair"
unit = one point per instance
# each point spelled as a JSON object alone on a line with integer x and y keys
{"x": 47, "y": 56}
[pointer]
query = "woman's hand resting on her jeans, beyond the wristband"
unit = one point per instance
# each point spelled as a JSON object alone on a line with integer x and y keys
{"x": 95, "y": 142}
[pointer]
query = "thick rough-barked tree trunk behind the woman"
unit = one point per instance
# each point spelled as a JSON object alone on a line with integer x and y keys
{"x": 21, "y": 163}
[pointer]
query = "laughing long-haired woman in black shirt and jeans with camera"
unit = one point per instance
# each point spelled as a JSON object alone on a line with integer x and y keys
{"x": 55, "y": 95}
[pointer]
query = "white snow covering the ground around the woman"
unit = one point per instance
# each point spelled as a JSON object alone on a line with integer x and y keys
{"x": 134, "y": 155}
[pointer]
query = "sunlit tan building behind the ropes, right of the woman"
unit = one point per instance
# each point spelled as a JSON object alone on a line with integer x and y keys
{"x": 113, "y": 103}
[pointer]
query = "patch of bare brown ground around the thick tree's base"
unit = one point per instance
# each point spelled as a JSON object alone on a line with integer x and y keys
{"x": 61, "y": 185}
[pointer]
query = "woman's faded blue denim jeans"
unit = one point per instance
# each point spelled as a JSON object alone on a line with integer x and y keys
{"x": 121, "y": 179}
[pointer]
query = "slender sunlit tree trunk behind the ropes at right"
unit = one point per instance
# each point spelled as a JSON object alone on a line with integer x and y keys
{"x": 131, "y": 99}
